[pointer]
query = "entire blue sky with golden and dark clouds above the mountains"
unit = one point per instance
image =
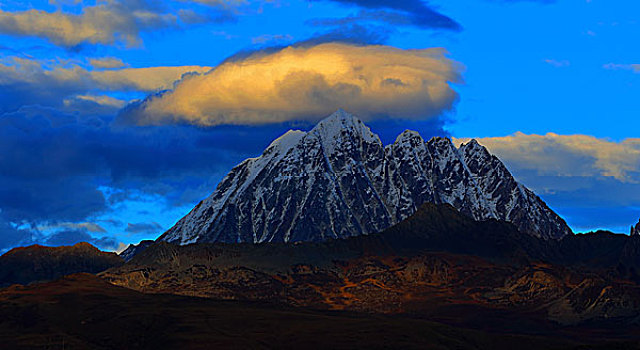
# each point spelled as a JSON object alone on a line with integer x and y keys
{"x": 103, "y": 138}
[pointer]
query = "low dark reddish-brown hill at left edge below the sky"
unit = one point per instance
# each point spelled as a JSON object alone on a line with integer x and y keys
{"x": 39, "y": 263}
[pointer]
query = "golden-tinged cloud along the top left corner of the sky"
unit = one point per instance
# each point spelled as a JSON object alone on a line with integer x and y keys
{"x": 109, "y": 22}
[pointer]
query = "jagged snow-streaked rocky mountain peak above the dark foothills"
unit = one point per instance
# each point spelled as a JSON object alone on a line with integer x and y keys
{"x": 338, "y": 180}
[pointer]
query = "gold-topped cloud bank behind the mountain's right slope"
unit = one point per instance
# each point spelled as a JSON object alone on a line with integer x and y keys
{"x": 591, "y": 182}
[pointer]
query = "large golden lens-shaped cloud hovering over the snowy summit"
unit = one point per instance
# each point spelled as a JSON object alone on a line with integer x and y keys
{"x": 307, "y": 83}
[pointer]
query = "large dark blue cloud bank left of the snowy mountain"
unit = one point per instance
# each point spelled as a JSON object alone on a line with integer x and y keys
{"x": 52, "y": 163}
